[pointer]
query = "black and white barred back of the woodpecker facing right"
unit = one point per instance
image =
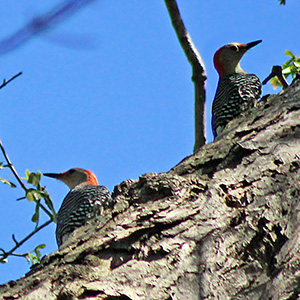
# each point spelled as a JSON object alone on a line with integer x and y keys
{"x": 235, "y": 93}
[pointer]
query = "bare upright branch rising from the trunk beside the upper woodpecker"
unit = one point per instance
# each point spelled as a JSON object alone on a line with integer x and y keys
{"x": 199, "y": 74}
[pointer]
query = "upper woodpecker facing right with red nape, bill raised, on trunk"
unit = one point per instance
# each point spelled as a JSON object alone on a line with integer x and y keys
{"x": 236, "y": 89}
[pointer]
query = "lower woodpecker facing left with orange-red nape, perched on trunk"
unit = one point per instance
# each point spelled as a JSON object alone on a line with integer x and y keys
{"x": 85, "y": 200}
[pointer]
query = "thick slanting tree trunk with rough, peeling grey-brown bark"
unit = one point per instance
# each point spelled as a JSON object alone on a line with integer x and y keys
{"x": 222, "y": 224}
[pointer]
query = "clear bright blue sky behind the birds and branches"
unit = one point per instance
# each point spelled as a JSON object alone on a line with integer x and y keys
{"x": 109, "y": 90}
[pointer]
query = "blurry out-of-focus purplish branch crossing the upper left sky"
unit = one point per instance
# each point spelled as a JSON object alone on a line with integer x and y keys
{"x": 39, "y": 24}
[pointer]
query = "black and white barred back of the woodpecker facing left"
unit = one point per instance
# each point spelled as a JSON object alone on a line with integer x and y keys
{"x": 79, "y": 205}
